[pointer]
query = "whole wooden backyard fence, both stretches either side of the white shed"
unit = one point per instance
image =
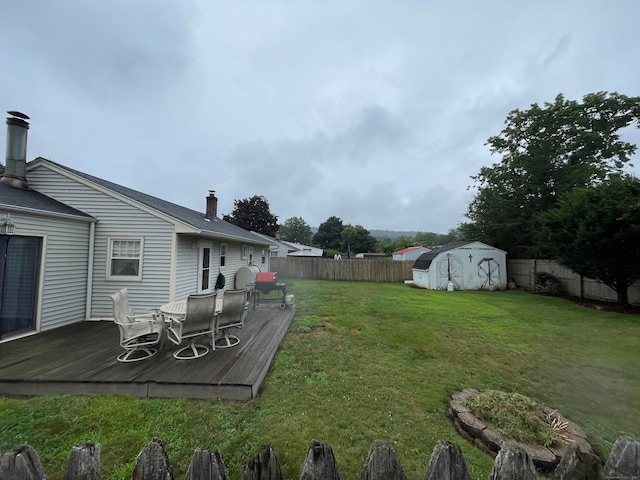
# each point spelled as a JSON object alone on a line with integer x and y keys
{"x": 389, "y": 271}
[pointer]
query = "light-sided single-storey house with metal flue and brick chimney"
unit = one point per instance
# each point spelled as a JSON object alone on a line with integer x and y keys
{"x": 68, "y": 240}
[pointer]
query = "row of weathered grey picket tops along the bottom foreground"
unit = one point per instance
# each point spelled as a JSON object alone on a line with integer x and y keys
{"x": 382, "y": 463}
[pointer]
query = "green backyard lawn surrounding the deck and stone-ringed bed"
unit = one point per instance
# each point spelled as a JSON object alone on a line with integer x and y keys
{"x": 365, "y": 362}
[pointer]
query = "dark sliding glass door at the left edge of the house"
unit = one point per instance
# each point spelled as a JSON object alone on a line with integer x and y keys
{"x": 19, "y": 272}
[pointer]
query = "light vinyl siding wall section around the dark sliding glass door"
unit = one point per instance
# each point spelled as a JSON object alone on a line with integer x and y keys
{"x": 63, "y": 289}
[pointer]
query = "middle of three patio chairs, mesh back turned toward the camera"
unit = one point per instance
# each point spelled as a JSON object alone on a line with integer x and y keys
{"x": 199, "y": 321}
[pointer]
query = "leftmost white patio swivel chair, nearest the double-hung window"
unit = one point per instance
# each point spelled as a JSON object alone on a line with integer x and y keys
{"x": 139, "y": 333}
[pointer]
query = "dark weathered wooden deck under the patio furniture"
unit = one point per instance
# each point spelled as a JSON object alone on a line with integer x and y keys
{"x": 81, "y": 359}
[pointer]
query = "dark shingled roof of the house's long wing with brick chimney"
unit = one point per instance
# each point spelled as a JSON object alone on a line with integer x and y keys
{"x": 191, "y": 217}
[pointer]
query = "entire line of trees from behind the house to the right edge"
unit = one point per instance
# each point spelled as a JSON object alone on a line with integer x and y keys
{"x": 560, "y": 190}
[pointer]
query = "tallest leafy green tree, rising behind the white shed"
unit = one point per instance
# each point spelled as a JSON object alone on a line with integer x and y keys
{"x": 547, "y": 151}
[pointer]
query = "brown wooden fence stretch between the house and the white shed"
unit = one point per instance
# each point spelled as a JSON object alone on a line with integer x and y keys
{"x": 355, "y": 269}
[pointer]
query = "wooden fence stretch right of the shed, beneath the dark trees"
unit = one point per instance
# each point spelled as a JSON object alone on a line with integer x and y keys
{"x": 524, "y": 271}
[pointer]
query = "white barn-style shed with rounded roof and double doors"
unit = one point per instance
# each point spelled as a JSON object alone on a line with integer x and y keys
{"x": 461, "y": 266}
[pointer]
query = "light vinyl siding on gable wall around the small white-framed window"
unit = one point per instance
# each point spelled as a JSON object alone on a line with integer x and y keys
{"x": 116, "y": 218}
